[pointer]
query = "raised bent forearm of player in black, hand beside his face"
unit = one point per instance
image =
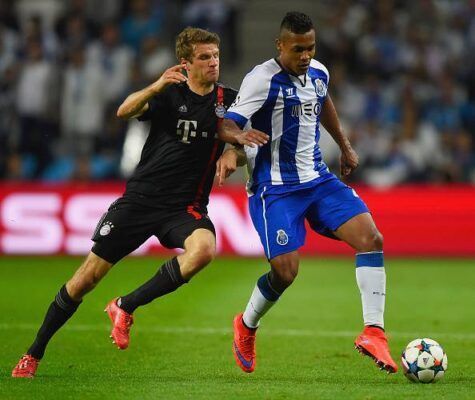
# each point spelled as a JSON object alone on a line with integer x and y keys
{"x": 137, "y": 103}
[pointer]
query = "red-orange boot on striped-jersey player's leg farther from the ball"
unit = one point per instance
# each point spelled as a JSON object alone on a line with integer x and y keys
{"x": 244, "y": 345}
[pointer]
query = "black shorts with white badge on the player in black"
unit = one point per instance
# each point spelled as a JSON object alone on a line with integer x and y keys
{"x": 127, "y": 225}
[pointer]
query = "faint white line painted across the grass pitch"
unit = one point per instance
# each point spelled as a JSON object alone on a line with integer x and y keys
{"x": 226, "y": 331}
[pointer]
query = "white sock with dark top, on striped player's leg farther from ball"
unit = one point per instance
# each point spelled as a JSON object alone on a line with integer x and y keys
{"x": 262, "y": 299}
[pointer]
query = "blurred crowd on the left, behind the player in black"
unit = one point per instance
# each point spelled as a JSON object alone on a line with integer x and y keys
{"x": 66, "y": 65}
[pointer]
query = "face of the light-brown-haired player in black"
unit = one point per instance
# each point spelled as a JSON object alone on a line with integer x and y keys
{"x": 204, "y": 67}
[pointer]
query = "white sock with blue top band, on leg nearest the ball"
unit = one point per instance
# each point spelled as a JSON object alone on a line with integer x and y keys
{"x": 371, "y": 279}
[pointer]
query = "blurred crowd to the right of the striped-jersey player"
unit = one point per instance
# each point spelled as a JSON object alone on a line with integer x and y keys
{"x": 403, "y": 76}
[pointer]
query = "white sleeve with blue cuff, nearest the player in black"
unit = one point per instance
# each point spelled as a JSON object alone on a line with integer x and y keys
{"x": 251, "y": 97}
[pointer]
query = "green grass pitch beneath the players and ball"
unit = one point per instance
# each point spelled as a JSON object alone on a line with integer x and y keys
{"x": 181, "y": 344}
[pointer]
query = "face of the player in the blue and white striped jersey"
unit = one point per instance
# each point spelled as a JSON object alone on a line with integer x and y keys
{"x": 296, "y": 50}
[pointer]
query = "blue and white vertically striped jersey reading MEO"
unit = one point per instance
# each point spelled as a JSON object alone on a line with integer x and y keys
{"x": 287, "y": 108}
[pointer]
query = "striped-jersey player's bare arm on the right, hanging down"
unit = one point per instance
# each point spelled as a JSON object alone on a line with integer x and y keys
{"x": 329, "y": 118}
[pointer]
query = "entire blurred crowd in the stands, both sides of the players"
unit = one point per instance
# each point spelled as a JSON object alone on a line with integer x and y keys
{"x": 402, "y": 77}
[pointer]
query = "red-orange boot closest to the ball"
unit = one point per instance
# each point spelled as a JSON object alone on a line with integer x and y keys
{"x": 372, "y": 342}
